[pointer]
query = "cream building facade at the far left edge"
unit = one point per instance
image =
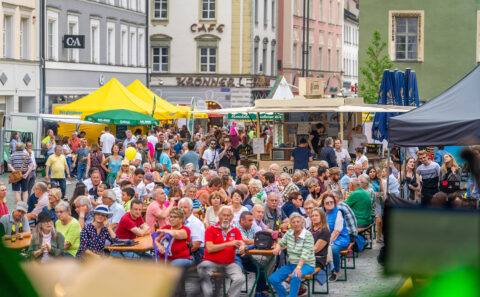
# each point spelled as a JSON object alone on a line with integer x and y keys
{"x": 19, "y": 72}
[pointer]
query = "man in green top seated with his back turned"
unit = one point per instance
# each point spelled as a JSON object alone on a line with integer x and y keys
{"x": 359, "y": 201}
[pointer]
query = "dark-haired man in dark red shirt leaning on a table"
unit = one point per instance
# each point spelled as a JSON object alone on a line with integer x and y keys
{"x": 131, "y": 226}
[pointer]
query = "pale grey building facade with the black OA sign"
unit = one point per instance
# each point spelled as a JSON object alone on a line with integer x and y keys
{"x": 109, "y": 40}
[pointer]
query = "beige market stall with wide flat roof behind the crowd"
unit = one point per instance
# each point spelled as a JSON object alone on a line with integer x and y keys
{"x": 296, "y": 117}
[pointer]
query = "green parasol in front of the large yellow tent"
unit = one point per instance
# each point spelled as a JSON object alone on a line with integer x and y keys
{"x": 122, "y": 117}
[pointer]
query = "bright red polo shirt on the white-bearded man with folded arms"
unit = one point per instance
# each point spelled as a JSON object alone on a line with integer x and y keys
{"x": 215, "y": 235}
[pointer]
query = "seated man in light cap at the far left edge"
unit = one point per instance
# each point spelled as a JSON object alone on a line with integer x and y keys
{"x": 17, "y": 221}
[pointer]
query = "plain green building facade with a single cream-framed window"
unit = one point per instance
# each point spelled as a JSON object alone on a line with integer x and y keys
{"x": 440, "y": 40}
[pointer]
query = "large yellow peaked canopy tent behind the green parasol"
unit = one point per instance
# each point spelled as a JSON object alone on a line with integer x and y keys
{"x": 113, "y": 95}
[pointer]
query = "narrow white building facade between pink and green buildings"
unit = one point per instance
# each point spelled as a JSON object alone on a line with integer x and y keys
{"x": 350, "y": 48}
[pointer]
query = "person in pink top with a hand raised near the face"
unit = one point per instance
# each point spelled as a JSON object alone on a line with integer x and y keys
{"x": 157, "y": 211}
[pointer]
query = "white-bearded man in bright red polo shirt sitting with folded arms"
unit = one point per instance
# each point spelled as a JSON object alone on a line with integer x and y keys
{"x": 221, "y": 241}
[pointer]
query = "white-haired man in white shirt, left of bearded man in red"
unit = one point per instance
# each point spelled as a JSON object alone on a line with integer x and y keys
{"x": 197, "y": 229}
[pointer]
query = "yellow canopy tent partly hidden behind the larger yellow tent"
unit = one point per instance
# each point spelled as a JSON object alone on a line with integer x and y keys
{"x": 146, "y": 95}
